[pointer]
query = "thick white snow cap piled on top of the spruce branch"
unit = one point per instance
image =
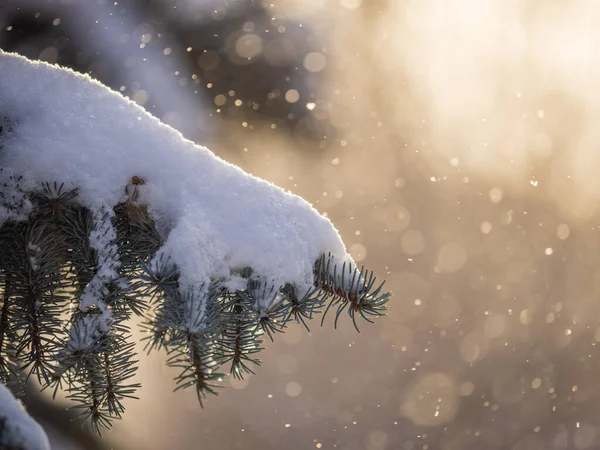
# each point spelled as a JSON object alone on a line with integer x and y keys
{"x": 215, "y": 218}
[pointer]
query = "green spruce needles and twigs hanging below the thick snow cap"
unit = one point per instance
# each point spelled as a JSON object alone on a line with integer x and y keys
{"x": 71, "y": 280}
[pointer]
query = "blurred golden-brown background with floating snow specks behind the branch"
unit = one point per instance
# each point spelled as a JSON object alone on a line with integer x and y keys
{"x": 455, "y": 147}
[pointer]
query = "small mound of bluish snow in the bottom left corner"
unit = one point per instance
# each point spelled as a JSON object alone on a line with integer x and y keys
{"x": 17, "y": 428}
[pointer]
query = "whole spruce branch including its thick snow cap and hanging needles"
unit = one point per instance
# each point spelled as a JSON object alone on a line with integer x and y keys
{"x": 106, "y": 213}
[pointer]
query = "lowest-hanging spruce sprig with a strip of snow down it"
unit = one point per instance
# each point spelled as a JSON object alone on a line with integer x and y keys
{"x": 98, "y": 361}
